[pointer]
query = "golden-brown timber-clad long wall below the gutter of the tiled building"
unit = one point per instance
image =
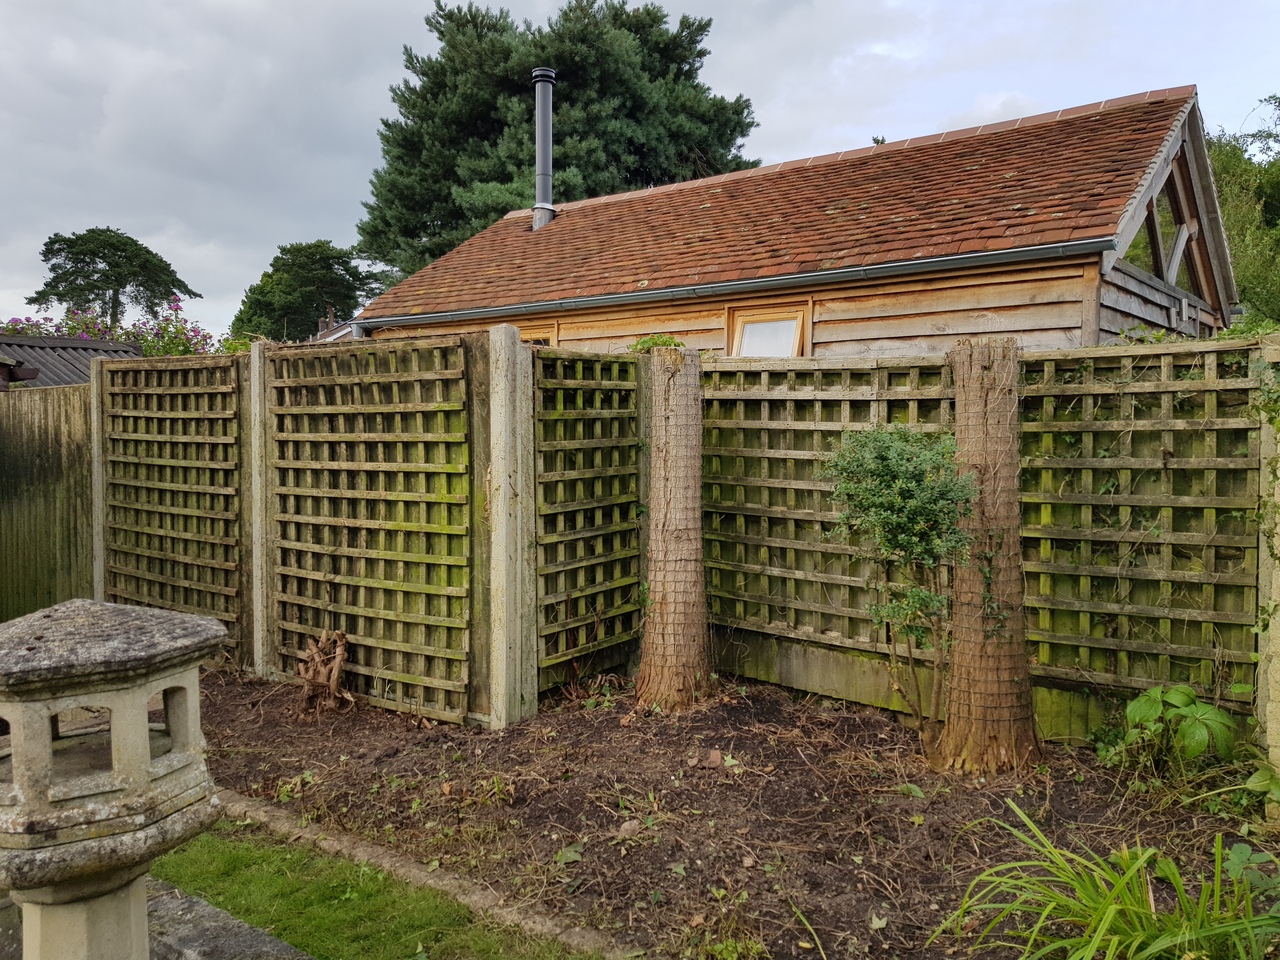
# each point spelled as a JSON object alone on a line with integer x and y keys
{"x": 1048, "y": 307}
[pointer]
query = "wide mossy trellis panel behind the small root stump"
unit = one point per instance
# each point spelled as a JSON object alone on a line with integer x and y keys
{"x": 371, "y": 491}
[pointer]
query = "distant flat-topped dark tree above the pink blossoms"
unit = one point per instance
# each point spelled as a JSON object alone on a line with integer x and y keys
{"x": 108, "y": 271}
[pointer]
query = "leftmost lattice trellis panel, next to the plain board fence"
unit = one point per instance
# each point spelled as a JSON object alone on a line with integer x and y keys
{"x": 173, "y": 486}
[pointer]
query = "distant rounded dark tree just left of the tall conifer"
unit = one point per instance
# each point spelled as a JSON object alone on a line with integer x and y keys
{"x": 309, "y": 287}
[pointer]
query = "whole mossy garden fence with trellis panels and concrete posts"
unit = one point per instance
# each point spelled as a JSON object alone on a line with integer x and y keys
{"x": 472, "y": 514}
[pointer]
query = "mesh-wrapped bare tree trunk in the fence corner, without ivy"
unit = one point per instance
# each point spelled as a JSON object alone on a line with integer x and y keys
{"x": 675, "y": 656}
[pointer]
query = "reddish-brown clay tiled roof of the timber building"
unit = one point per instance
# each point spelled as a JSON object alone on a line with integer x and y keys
{"x": 1039, "y": 181}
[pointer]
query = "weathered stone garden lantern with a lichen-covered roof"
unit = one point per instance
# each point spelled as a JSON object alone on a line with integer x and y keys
{"x": 106, "y": 769}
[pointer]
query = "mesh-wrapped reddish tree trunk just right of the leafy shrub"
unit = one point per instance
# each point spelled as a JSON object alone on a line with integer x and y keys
{"x": 991, "y": 724}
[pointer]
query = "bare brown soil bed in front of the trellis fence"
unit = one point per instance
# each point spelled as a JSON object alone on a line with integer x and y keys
{"x": 761, "y": 817}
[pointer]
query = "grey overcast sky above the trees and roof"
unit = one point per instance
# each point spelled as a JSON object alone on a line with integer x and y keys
{"x": 214, "y": 131}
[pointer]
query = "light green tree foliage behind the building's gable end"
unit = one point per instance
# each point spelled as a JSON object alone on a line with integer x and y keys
{"x": 1247, "y": 172}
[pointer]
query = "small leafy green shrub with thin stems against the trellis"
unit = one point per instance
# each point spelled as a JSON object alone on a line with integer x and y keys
{"x": 903, "y": 493}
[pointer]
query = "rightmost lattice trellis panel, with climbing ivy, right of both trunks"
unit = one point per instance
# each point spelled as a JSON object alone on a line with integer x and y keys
{"x": 1140, "y": 499}
